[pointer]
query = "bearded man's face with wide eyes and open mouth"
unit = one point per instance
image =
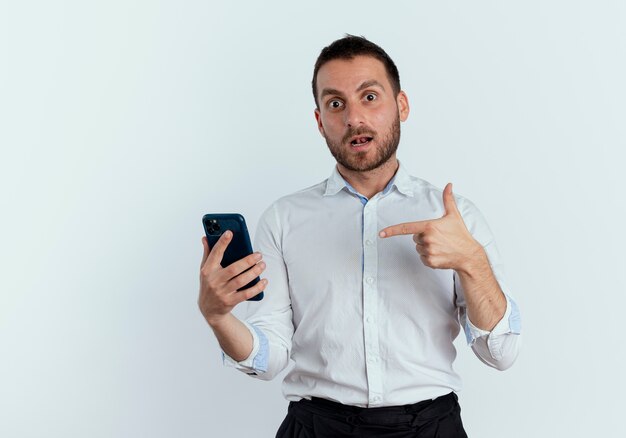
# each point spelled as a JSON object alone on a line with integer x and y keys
{"x": 359, "y": 115}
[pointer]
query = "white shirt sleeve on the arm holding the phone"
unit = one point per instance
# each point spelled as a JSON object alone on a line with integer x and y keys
{"x": 270, "y": 319}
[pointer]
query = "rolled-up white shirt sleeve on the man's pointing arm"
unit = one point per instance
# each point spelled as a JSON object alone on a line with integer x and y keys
{"x": 499, "y": 347}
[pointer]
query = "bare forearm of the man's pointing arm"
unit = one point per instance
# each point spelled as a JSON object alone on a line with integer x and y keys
{"x": 485, "y": 300}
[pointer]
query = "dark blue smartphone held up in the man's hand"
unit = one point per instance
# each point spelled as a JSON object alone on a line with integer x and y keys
{"x": 239, "y": 246}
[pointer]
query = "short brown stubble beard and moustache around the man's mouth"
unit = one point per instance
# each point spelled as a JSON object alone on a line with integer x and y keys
{"x": 358, "y": 162}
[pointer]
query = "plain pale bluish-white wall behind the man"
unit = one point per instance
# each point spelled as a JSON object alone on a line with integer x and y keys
{"x": 121, "y": 123}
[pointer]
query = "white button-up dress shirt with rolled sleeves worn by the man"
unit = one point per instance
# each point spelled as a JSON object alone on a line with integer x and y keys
{"x": 364, "y": 321}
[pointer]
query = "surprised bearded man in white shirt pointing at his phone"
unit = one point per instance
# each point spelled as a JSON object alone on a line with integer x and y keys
{"x": 369, "y": 276}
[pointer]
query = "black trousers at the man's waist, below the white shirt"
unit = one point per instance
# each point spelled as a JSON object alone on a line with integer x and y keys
{"x": 320, "y": 418}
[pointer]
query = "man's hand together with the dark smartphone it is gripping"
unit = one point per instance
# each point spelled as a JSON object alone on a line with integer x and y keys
{"x": 230, "y": 271}
